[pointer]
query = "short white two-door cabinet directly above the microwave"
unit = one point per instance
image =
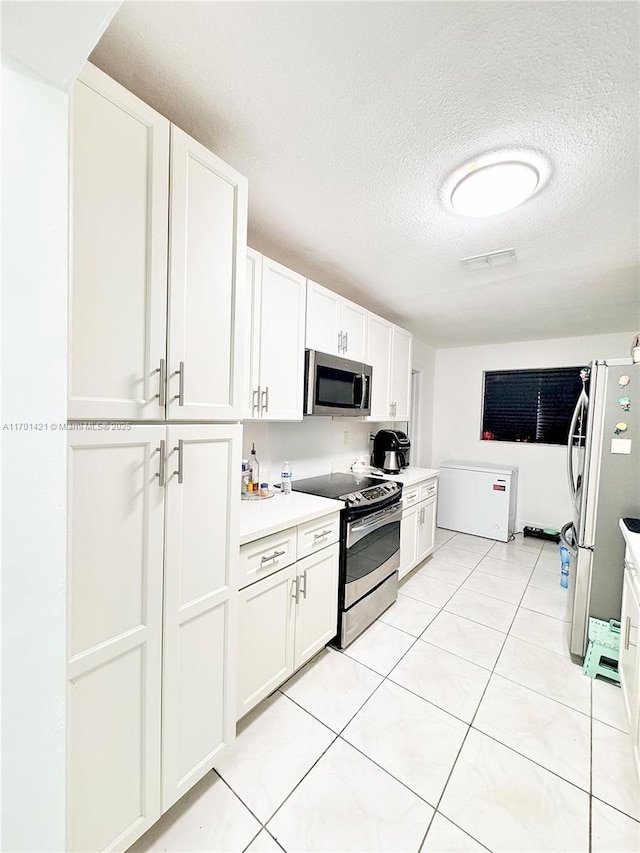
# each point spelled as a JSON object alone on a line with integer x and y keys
{"x": 334, "y": 324}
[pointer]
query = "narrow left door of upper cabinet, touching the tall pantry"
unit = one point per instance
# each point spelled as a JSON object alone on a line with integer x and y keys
{"x": 251, "y": 344}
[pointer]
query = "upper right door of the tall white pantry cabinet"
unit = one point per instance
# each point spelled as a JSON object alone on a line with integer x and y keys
{"x": 207, "y": 267}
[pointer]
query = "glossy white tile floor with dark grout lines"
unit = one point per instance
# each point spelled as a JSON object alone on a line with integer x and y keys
{"x": 457, "y": 722}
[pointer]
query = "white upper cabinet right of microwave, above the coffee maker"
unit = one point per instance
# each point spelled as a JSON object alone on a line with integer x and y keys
{"x": 389, "y": 352}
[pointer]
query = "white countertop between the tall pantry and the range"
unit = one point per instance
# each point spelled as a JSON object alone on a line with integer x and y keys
{"x": 261, "y": 518}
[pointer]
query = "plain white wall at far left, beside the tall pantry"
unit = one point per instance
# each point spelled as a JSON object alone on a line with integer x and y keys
{"x": 34, "y": 350}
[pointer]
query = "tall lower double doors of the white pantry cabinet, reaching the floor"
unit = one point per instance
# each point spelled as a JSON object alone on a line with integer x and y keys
{"x": 151, "y": 689}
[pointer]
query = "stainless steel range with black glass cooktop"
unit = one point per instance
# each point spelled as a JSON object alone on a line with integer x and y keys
{"x": 369, "y": 546}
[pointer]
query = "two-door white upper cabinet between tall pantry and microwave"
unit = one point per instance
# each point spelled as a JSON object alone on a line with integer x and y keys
{"x": 274, "y": 305}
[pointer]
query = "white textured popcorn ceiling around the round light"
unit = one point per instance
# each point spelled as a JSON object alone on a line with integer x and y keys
{"x": 346, "y": 117}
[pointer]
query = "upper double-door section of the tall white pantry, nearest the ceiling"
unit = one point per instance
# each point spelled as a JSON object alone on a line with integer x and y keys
{"x": 140, "y": 251}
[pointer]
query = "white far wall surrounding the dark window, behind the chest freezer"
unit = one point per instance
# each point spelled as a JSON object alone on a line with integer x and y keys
{"x": 543, "y": 495}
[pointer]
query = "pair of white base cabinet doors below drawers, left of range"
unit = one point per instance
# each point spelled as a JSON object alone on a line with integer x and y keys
{"x": 284, "y": 619}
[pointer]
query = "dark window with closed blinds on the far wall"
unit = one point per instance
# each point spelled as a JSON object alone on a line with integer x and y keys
{"x": 532, "y": 406}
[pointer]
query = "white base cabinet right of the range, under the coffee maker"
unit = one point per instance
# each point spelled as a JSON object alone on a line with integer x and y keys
{"x": 418, "y": 525}
